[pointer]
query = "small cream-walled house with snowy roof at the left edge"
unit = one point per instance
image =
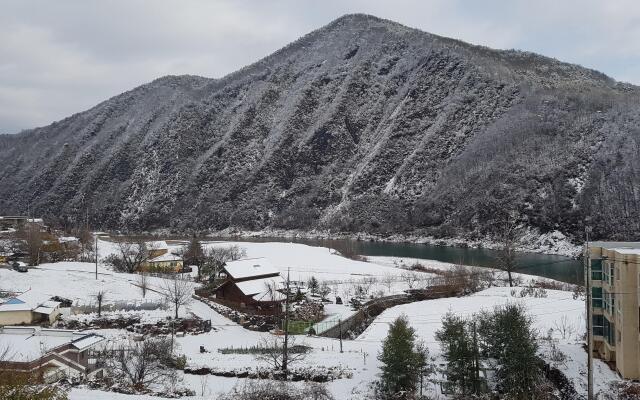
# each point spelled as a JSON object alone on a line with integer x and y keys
{"x": 29, "y": 308}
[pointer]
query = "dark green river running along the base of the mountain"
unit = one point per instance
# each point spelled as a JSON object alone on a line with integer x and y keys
{"x": 560, "y": 268}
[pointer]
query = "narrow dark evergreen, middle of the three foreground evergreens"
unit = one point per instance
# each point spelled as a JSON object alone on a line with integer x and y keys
{"x": 459, "y": 349}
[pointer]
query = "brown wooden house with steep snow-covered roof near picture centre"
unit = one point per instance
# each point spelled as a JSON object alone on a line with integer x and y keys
{"x": 252, "y": 285}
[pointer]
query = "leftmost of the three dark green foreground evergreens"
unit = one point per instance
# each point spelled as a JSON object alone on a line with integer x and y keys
{"x": 402, "y": 361}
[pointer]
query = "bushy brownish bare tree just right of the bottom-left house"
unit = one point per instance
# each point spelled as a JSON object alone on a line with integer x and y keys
{"x": 141, "y": 363}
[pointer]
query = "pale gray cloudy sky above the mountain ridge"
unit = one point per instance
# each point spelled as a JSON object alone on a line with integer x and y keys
{"x": 64, "y": 56}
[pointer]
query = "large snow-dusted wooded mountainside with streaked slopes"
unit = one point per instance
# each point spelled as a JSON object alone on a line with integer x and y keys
{"x": 362, "y": 125}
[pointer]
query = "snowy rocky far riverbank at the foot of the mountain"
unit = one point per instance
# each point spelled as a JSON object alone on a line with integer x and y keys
{"x": 551, "y": 243}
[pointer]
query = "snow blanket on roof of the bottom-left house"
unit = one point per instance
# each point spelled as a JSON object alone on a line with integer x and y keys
{"x": 30, "y": 343}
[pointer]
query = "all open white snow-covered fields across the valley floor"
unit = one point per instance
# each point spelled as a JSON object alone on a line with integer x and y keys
{"x": 358, "y": 359}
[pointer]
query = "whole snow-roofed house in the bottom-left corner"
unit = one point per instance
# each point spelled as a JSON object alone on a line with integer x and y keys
{"x": 54, "y": 353}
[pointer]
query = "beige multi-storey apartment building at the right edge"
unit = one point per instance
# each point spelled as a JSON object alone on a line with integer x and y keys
{"x": 615, "y": 273}
